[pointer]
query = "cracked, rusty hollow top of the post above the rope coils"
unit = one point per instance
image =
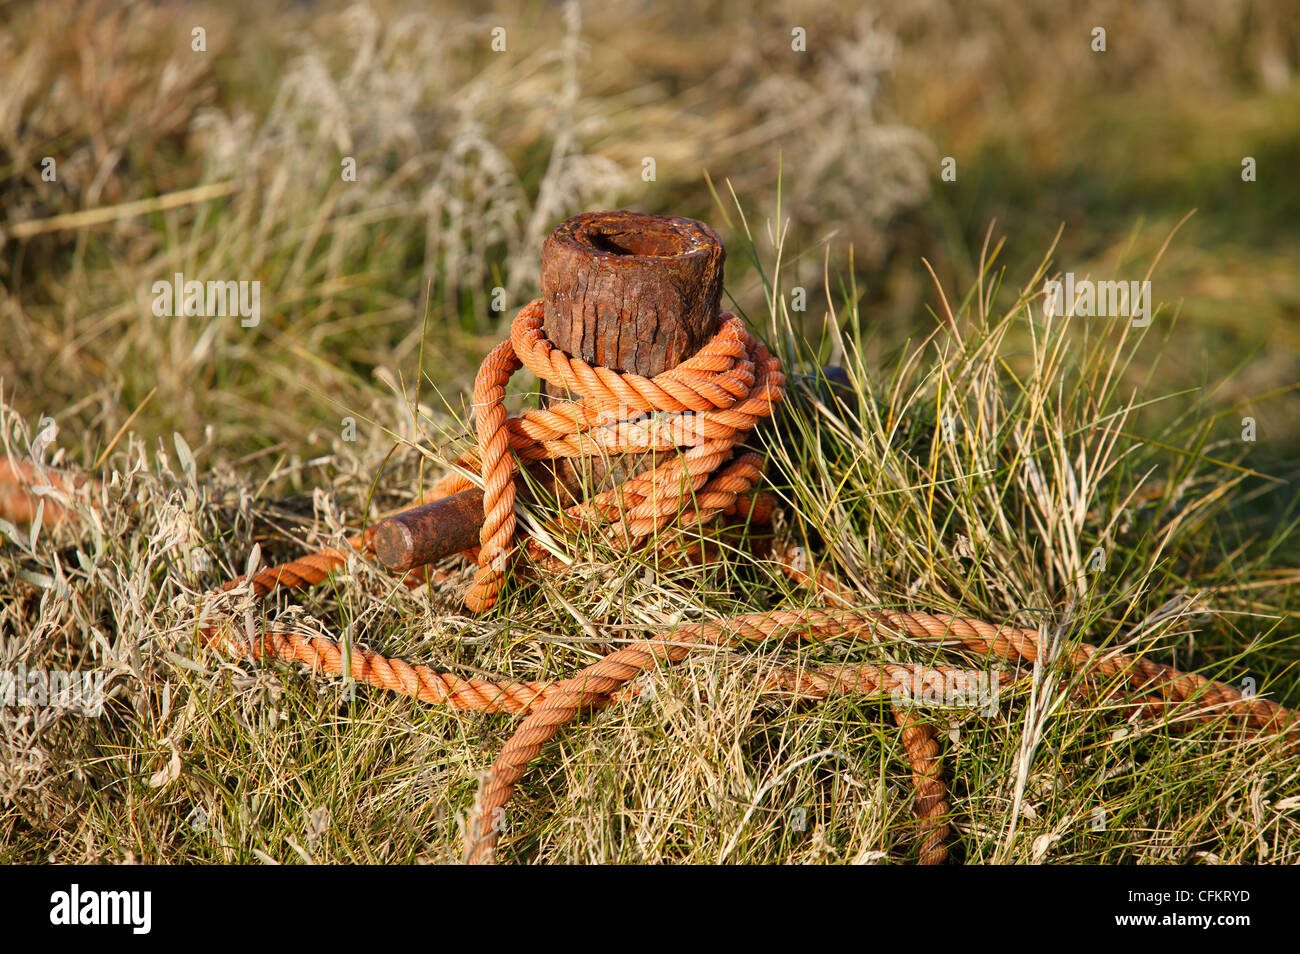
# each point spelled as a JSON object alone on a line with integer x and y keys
{"x": 632, "y": 292}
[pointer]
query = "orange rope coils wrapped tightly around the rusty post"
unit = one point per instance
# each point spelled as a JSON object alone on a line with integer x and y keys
{"x": 710, "y": 404}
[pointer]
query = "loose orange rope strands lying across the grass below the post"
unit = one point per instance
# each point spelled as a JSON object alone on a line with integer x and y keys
{"x": 557, "y": 704}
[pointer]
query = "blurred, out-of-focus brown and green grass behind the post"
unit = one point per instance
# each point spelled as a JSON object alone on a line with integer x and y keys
{"x": 466, "y": 158}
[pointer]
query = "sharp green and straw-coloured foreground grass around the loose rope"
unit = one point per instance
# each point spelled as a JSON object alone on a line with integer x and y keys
{"x": 998, "y": 522}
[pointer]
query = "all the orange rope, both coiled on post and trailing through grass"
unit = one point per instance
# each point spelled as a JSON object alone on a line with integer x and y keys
{"x": 709, "y": 405}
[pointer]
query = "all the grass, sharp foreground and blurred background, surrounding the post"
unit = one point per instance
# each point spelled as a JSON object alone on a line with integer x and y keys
{"x": 987, "y": 459}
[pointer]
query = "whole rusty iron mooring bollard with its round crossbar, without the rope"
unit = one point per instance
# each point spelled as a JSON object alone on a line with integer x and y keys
{"x": 623, "y": 290}
